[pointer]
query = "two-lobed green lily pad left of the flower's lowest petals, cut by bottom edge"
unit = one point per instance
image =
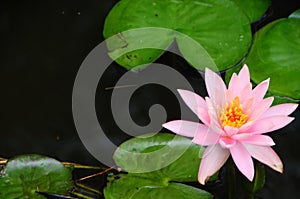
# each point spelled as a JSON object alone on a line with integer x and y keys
{"x": 155, "y": 161}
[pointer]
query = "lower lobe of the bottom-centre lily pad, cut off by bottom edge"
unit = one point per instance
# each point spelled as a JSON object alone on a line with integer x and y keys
{"x": 134, "y": 187}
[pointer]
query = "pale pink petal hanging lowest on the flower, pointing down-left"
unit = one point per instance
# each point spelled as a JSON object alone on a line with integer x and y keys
{"x": 213, "y": 159}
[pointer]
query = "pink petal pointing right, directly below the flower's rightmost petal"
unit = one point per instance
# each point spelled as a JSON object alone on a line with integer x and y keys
{"x": 269, "y": 124}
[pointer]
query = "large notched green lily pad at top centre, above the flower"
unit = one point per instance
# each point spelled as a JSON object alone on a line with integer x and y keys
{"x": 220, "y": 29}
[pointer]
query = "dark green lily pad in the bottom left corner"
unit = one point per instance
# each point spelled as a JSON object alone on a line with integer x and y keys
{"x": 26, "y": 174}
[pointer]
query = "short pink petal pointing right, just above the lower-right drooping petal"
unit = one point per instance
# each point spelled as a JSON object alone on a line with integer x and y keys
{"x": 256, "y": 140}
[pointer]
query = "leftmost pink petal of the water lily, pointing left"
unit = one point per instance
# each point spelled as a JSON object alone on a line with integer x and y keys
{"x": 185, "y": 128}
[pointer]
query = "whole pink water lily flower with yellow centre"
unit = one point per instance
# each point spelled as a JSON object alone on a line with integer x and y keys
{"x": 235, "y": 120}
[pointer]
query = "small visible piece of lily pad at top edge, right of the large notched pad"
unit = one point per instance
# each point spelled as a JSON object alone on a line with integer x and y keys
{"x": 253, "y": 8}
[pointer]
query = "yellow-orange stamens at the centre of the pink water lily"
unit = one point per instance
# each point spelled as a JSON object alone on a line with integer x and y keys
{"x": 233, "y": 114}
